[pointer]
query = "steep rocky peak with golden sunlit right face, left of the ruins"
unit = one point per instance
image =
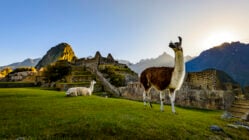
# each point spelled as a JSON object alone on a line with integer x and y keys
{"x": 62, "y": 51}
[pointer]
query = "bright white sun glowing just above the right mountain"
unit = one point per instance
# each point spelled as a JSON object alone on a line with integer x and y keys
{"x": 218, "y": 37}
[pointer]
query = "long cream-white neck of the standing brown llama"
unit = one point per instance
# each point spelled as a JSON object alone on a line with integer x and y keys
{"x": 179, "y": 71}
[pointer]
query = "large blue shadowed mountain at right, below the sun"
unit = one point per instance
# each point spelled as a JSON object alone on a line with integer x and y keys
{"x": 232, "y": 58}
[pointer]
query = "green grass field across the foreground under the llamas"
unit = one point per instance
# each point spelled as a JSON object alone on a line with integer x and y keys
{"x": 32, "y": 113}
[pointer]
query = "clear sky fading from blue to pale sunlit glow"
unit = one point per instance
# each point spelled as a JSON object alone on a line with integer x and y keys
{"x": 128, "y": 29}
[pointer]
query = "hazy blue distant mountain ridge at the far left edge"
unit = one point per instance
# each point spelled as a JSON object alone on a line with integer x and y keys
{"x": 25, "y": 63}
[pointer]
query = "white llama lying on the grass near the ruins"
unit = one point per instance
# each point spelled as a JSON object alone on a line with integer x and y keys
{"x": 81, "y": 91}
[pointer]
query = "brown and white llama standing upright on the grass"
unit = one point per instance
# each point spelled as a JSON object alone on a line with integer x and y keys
{"x": 165, "y": 78}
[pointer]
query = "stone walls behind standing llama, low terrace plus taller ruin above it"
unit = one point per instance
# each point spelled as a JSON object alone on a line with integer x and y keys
{"x": 200, "y": 90}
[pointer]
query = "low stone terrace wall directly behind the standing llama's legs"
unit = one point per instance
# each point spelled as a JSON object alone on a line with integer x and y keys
{"x": 203, "y": 99}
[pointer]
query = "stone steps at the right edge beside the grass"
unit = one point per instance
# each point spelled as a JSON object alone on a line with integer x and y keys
{"x": 240, "y": 109}
